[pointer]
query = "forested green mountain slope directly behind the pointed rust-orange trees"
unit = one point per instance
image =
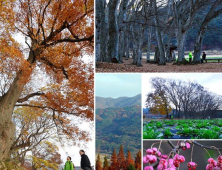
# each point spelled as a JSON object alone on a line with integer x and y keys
{"x": 115, "y": 126}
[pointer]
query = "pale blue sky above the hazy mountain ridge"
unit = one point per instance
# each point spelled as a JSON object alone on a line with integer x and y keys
{"x": 117, "y": 85}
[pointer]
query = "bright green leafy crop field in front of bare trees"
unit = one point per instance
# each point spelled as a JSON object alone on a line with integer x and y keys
{"x": 195, "y": 129}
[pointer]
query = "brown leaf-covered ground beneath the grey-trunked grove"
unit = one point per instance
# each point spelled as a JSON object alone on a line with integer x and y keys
{"x": 147, "y": 67}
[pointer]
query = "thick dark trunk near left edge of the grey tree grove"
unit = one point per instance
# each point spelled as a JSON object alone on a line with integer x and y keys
{"x": 113, "y": 32}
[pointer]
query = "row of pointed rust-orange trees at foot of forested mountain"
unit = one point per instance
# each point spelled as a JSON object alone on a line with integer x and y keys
{"x": 119, "y": 161}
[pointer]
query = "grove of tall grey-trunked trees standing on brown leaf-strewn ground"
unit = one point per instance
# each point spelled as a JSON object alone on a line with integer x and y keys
{"x": 131, "y": 24}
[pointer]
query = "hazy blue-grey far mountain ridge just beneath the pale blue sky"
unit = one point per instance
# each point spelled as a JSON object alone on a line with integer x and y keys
{"x": 102, "y": 103}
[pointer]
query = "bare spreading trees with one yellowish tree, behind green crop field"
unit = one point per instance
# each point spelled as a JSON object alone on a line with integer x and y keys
{"x": 188, "y": 99}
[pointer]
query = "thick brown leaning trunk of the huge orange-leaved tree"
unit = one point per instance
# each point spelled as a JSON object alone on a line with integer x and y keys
{"x": 7, "y": 104}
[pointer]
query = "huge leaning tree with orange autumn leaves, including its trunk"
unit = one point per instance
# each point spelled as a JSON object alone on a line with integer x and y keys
{"x": 46, "y": 71}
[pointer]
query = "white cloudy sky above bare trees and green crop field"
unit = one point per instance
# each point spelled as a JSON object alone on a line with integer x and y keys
{"x": 211, "y": 81}
